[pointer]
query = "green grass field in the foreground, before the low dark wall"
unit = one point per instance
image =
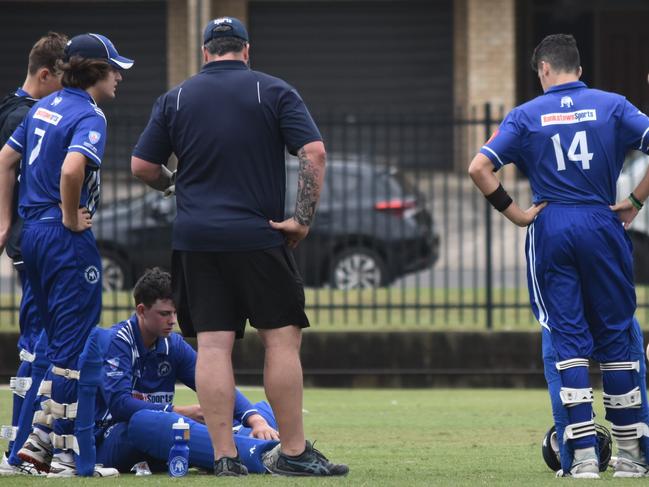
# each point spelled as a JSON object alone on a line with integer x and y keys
{"x": 402, "y": 438}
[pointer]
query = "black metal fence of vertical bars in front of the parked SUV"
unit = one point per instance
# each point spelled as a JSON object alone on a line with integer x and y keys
{"x": 402, "y": 239}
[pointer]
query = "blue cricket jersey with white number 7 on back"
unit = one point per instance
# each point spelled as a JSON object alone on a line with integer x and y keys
{"x": 65, "y": 121}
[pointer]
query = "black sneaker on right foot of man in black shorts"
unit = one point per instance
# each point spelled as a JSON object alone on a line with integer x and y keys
{"x": 309, "y": 463}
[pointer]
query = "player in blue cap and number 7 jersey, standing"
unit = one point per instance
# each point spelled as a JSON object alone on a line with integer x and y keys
{"x": 61, "y": 142}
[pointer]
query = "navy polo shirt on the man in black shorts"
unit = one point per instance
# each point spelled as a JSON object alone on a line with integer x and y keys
{"x": 229, "y": 127}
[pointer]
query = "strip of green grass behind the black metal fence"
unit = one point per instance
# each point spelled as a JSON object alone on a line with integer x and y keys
{"x": 384, "y": 309}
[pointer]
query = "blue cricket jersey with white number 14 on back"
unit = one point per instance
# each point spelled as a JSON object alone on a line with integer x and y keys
{"x": 570, "y": 142}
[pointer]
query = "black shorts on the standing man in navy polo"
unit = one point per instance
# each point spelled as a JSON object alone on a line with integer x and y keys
{"x": 219, "y": 291}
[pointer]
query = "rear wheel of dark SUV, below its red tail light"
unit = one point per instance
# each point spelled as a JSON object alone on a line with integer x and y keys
{"x": 358, "y": 268}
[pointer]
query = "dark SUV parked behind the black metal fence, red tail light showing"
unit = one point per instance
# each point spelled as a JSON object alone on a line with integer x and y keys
{"x": 371, "y": 228}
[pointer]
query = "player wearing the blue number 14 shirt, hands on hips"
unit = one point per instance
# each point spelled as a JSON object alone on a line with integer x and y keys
{"x": 571, "y": 143}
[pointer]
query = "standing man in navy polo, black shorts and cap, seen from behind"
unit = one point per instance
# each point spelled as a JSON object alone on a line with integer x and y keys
{"x": 229, "y": 126}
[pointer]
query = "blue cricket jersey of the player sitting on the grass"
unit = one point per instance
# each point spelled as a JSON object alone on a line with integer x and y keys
{"x": 136, "y": 378}
